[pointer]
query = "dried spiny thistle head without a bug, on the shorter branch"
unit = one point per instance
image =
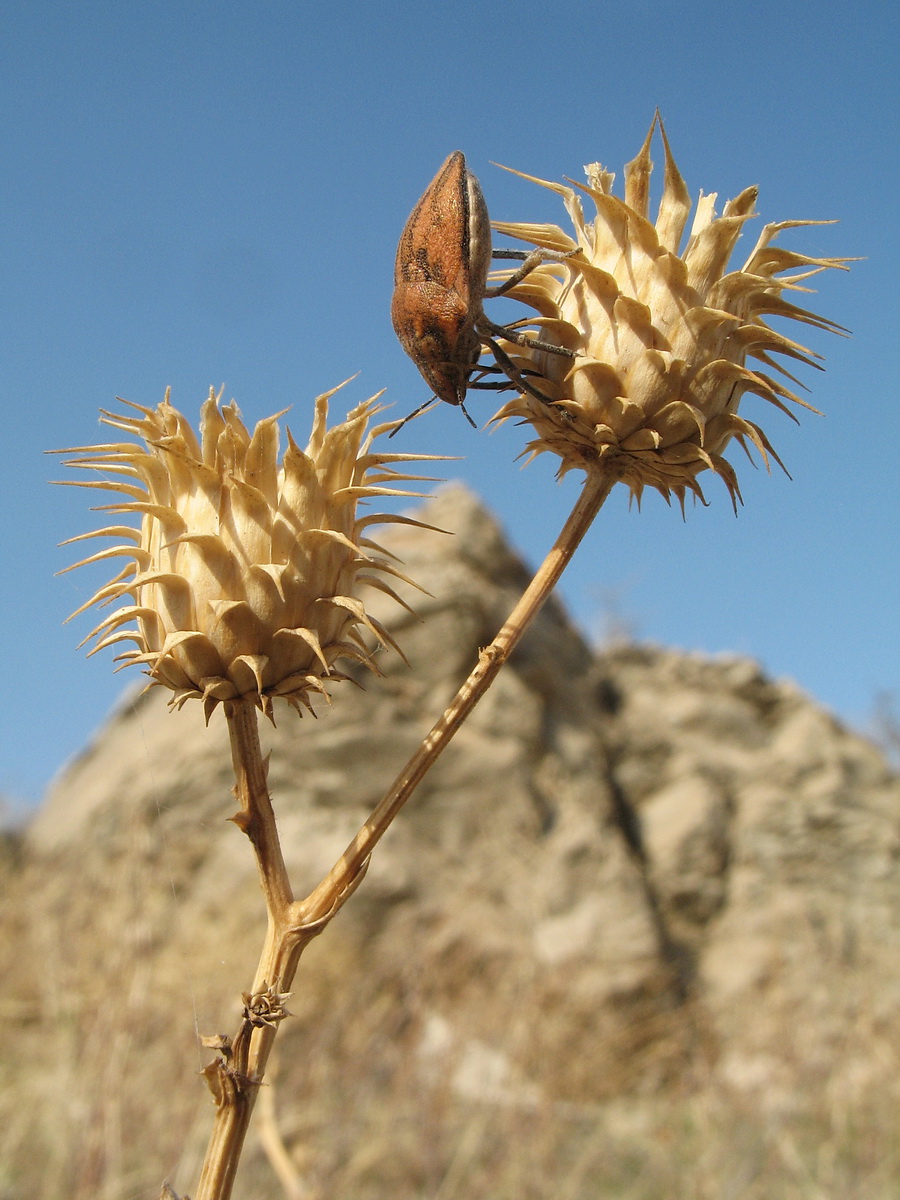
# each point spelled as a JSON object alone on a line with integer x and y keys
{"x": 243, "y": 581}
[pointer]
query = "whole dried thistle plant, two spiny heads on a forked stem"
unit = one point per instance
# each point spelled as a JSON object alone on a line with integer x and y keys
{"x": 242, "y": 584}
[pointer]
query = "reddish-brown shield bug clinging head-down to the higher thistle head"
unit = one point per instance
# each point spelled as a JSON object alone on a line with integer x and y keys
{"x": 440, "y": 285}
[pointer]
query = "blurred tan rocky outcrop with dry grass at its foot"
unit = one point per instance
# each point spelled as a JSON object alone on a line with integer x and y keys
{"x": 637, "y": 934}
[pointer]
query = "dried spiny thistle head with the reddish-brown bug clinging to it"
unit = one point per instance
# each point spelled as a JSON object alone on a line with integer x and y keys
{"x": 663, "y": 334}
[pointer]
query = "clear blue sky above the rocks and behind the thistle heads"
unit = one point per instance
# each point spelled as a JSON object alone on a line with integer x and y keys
{"x": 201, "y": 194}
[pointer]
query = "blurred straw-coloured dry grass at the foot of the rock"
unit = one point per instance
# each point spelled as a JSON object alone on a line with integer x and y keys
{"x": 98, "y": 1096}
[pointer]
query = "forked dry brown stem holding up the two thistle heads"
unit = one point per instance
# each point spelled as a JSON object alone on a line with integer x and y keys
{"x": 236, "y": 1078}
